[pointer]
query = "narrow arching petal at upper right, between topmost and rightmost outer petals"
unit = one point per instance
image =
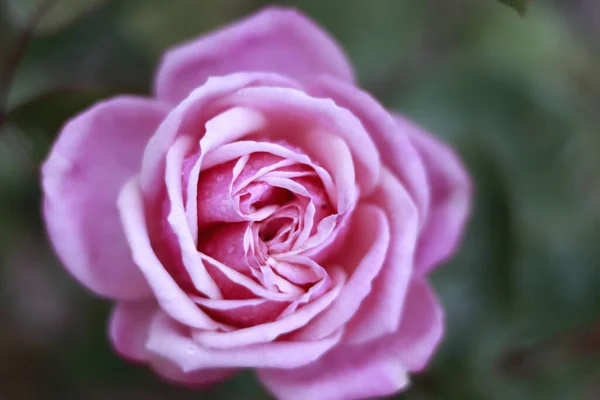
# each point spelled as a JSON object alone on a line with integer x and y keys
{"x": 396, "y": 150}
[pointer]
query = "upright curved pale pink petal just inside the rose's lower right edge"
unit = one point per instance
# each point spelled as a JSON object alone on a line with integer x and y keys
{"x": 380, "y": 312}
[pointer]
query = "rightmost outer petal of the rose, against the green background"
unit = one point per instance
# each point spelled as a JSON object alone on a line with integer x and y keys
{"x": 450, "y": 202}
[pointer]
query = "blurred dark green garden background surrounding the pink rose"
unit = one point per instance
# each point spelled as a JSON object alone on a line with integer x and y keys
{"x": 518, "y": 97}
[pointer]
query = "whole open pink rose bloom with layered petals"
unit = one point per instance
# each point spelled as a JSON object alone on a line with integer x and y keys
{"x": 260, "y": 211}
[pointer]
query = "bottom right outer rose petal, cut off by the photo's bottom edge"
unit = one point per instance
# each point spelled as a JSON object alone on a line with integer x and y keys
{"x": 372, "y": 369}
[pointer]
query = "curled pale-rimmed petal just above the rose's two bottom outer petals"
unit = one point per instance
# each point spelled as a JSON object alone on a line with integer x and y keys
{"x": 171, "y": 341}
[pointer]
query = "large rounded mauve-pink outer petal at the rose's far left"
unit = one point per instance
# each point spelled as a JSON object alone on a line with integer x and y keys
{"x": 96, "y": 152}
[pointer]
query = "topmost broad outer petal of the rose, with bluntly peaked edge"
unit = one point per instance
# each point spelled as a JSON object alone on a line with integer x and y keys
{"x": 274, "y": 40}
